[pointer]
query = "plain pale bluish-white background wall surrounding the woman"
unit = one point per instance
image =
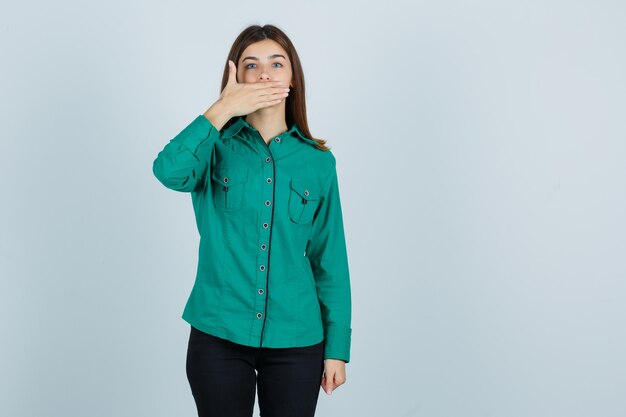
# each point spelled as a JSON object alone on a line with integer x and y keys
{"x": 481, "y": 152}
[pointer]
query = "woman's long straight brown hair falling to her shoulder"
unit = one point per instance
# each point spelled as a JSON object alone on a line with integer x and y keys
{"x": 295, "y": 106}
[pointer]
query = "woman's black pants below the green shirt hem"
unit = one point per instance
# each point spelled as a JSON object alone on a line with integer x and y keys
{"x": 223, "y": 379}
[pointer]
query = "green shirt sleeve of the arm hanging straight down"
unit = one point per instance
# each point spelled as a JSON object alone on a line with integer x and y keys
{"x": 326, "y": 250}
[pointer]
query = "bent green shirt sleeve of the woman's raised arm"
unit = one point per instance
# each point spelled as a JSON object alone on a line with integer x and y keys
{"x": 183, "y": 161}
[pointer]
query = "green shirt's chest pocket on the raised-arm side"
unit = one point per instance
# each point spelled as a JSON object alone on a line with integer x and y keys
{"x": 229, "y": 184}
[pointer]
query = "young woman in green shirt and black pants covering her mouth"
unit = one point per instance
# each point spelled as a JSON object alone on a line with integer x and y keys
{"x": 271, "y": 304}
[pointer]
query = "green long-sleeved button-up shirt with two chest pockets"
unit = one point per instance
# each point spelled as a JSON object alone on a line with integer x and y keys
{"x": 272, "y": 263}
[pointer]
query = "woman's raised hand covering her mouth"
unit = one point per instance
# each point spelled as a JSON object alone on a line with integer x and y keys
{"x": 244, "y": 98}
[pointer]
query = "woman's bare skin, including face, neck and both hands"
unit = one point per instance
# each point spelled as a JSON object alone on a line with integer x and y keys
{"x": 257, "y": 87}
